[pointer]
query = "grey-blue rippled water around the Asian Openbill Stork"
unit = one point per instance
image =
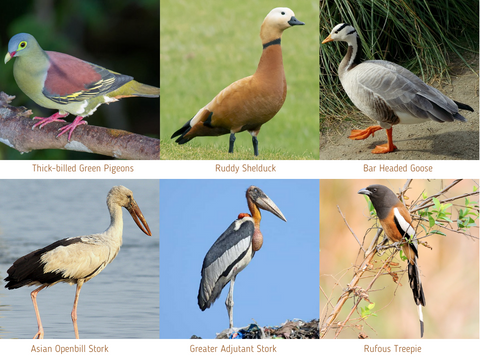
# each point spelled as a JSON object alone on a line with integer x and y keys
{"x": 122, "y": 301}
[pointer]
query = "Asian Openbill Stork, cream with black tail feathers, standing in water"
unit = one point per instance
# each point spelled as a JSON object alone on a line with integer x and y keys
{"x": 75, "y": 260}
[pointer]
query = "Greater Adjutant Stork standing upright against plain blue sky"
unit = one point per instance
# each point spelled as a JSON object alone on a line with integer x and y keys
{"x": 233, "y": 250}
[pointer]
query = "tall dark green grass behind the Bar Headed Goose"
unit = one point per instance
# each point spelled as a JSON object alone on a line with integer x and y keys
{"x": 420, "y": 35}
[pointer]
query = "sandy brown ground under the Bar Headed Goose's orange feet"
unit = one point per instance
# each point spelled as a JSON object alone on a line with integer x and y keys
{"x": 426, "y": 141}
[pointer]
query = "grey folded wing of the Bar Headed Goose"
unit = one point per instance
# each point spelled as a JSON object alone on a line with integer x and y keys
{"x": 403, "y": 91}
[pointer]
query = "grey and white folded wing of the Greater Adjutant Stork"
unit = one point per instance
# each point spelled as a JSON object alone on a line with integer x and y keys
{"x": 231, "y": 251}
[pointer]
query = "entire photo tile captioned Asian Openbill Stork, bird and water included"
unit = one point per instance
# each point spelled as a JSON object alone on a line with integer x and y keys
{"x": 41, "y": 212}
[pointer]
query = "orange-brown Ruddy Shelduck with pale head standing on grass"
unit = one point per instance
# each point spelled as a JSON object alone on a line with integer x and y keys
{"x": 250, "y": 102}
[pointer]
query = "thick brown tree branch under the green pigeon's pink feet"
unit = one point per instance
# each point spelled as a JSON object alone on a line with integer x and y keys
{"x": 16, "y": 132}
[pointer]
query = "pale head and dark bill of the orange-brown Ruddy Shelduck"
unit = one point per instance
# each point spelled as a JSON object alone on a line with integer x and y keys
{"x": 276, "y": 21}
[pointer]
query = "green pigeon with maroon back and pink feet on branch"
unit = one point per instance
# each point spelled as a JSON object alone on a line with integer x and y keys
{"x": 70, "y": 85}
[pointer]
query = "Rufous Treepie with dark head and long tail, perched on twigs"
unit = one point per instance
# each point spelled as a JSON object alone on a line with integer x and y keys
{"x": 396, "y": 222}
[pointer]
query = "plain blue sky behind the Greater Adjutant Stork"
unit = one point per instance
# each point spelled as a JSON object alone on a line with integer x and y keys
{"x": 280, "y": 283}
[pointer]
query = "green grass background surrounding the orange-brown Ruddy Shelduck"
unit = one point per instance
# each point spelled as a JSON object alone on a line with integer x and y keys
{"x": 207, "y": 45}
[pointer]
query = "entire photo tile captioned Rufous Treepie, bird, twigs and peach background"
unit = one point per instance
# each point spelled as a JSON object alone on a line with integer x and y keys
{"x": 446, "y": 233}
